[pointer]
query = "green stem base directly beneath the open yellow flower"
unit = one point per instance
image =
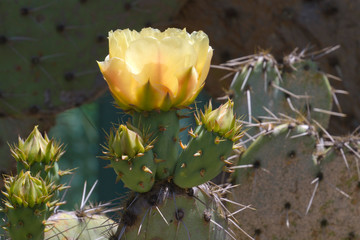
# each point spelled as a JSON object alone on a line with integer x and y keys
{"x": 163, "y": 127}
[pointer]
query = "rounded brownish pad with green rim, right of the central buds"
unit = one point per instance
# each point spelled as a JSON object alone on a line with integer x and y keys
{"x": 274, "y": 176}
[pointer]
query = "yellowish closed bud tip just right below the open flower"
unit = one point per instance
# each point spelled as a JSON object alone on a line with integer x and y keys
{"x": 221, "y": 120}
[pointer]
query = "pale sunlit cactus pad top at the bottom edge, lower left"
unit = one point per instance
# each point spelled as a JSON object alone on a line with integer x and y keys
{"x": 72, "y": 225}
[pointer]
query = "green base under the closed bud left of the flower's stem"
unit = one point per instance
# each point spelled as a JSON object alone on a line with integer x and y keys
{"x": 137, "y": 173}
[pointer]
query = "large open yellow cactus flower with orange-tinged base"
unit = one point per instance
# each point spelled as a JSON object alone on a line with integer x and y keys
{"x": 154, "y": 70}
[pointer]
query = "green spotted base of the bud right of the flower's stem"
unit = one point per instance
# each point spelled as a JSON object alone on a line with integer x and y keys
{"x": 203, "y": 159}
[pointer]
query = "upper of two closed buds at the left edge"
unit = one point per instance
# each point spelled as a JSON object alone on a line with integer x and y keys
{"x": 36, "y": 148}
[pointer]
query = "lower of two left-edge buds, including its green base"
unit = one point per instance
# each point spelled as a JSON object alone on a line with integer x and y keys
{"x": 27, "y": 206}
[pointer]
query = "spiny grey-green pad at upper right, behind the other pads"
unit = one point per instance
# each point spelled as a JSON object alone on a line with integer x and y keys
{"x": 262, "y": 87}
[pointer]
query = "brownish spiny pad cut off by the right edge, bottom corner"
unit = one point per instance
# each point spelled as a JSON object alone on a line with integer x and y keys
{"x": 335, "y": 212}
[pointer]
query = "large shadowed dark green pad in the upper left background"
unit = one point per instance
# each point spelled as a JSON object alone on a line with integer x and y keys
{"x": 48, "y": 49}
